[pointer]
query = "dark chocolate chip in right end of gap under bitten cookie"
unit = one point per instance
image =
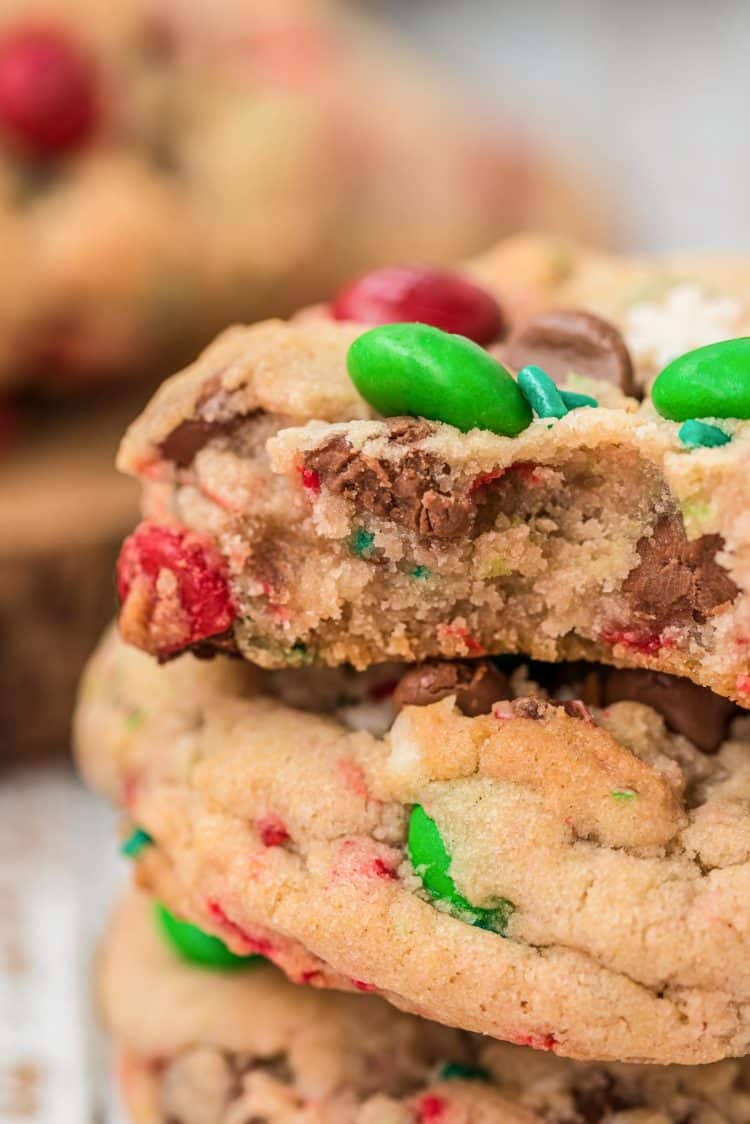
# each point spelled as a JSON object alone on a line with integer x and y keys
{"x": 688, "y": 709}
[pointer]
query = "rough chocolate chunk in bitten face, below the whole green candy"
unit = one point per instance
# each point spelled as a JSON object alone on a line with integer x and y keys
{"x": 408, "y": 492}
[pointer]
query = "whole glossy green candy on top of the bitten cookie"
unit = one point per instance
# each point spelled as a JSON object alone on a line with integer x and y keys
{"x": 413, "y": 369}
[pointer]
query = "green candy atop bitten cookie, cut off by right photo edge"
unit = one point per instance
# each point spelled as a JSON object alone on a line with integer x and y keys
{"x": 710, "y": 383}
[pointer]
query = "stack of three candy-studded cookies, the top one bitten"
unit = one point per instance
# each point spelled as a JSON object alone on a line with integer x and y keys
{"x": 477, "y": 545}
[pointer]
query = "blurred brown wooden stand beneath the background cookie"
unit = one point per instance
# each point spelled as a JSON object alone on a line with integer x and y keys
{"x": 64, "y": 512}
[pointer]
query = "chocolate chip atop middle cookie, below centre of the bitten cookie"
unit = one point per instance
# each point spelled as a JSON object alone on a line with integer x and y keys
{"x": 477, "y": 685}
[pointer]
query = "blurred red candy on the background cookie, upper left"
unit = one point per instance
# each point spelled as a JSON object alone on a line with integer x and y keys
{"x": 48, "y": 93}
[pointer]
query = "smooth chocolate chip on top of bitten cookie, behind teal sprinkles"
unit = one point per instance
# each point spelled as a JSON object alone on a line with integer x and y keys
{"x": 565, "y": 341}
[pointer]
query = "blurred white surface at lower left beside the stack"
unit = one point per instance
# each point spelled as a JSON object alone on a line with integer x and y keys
{"x": 59, "y": 868}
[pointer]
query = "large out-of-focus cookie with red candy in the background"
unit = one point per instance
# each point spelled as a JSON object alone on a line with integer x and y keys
{"x": 149, "y": 201}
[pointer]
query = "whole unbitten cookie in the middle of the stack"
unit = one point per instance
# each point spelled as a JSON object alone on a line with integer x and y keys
{"x": 573, "y": 877}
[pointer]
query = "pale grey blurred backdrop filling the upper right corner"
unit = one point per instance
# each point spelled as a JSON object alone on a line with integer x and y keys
{"x": 657, "y": 90}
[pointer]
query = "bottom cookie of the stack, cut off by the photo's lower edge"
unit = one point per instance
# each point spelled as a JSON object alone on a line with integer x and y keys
{"x": 252, "y": 1047}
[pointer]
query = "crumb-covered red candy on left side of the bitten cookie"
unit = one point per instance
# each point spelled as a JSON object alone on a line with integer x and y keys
{"x": 180, "y": 585}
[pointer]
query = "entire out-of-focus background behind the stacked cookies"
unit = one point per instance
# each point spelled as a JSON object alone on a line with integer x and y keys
{"x": 168, "y": 167}
